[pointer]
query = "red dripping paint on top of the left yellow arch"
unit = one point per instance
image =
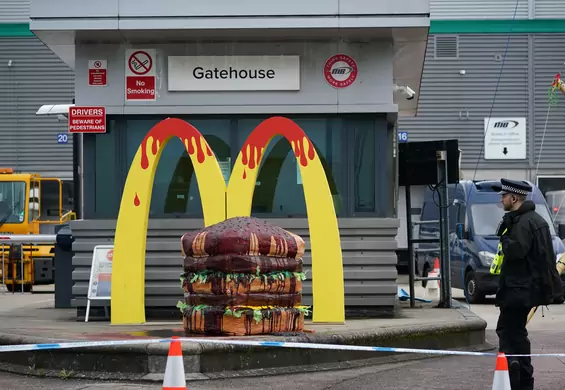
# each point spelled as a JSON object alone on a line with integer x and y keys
{"x": 172, "y": 127}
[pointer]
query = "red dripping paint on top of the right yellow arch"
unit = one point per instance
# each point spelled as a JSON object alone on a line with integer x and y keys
{"x": 252, "y": 150}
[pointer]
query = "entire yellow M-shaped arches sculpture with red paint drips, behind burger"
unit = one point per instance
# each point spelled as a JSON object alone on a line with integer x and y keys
{"x": 219, "y": 203}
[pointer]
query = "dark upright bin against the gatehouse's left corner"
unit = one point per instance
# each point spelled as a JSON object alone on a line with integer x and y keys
{"x": 63, "y": 263}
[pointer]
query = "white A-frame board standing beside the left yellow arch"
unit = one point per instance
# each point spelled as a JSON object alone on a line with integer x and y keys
{"x": 99, "y": 286}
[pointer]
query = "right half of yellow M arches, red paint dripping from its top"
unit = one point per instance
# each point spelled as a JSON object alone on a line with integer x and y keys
{"x": 325, "y": 243}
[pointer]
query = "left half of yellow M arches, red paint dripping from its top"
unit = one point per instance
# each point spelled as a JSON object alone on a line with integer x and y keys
{"x": 128, "y": 268}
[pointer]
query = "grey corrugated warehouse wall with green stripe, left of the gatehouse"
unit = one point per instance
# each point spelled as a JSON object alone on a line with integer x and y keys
{"x": 31, "y": 75}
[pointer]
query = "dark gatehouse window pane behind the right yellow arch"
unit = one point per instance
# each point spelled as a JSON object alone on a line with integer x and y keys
{"x": 279, "y": 190}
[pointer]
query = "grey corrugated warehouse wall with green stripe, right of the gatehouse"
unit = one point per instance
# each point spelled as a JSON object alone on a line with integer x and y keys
{"x": 493, "y": 59}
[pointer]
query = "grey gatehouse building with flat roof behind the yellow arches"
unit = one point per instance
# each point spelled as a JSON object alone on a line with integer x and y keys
{"x": 351, "y": 119}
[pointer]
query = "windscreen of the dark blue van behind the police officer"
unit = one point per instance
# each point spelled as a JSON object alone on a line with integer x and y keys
{"x": 487, "y": 216}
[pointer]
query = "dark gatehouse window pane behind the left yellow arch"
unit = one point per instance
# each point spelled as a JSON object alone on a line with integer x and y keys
{"x": 175, "y": 189}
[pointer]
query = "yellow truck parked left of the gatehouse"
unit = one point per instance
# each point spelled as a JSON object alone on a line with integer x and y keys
{"x": 29, "y": 205}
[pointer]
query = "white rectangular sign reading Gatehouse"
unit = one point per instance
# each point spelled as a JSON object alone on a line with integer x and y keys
{"x": 234, "y": 73}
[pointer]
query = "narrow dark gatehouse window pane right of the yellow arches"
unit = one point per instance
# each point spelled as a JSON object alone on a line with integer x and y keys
{"x": 364, "y": 164}
